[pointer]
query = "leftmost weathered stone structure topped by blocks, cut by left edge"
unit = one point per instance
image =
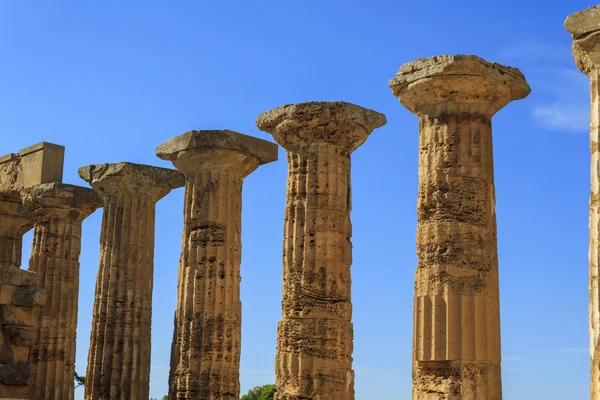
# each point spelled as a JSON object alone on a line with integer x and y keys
{"x": 20, "y": 299}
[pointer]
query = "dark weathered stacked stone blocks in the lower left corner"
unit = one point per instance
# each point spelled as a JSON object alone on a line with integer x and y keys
{"x": 20, "y": 301}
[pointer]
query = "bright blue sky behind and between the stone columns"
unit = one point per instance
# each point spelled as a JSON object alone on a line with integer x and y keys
{"x": 111, "y": 81}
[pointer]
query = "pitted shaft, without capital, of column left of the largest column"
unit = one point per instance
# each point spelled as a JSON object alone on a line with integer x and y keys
{"x": 315, "y": 336}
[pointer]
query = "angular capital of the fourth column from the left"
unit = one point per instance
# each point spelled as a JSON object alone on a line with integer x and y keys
{"x": 217, "y": 149}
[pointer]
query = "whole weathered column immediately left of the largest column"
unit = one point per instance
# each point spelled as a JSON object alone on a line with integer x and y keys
{"x": 315, "y": 337}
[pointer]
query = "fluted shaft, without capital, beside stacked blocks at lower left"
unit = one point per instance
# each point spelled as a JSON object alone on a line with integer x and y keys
{"x": 55, "y": 259}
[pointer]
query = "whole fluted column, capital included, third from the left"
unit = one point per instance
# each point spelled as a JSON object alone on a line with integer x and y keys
{"x": 119, "y": 355}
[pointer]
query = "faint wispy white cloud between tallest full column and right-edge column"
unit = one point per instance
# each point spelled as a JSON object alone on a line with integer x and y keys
{"x": 562, "y": 117}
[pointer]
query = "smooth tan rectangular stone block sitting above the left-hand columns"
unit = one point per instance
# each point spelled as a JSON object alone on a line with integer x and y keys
{"x": 42, "y": 163}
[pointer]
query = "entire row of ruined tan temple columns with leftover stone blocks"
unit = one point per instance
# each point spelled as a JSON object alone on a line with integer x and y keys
{"x": 456, "y": 324}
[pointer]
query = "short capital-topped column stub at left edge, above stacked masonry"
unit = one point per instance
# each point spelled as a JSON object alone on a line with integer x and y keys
{"x": 15, "y": 220}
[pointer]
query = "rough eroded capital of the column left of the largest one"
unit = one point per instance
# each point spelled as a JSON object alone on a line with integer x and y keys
{"x": 338, "y": 123}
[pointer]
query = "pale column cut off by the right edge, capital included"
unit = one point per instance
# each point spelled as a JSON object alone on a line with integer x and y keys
{"x": 584, "y": 27}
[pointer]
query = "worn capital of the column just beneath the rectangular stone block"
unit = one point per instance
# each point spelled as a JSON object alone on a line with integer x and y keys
{"x": 61, "y": 197}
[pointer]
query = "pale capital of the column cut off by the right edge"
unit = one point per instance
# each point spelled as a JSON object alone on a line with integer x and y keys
{"x": 584, "y": 27}
